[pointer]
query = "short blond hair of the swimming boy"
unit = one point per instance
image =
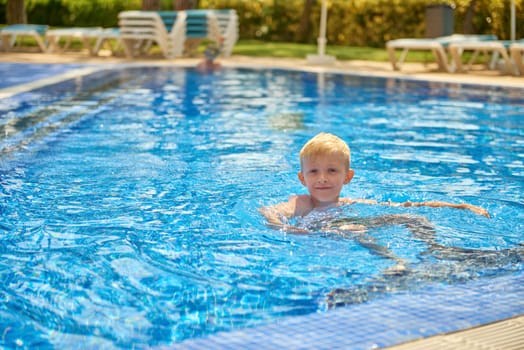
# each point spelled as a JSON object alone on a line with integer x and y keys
{"x": 325, "y": 144}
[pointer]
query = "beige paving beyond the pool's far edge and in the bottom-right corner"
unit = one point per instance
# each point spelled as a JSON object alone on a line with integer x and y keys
{"x": 475, "y": 338}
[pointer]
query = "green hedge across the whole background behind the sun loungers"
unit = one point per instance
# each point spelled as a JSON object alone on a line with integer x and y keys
{"x": 350, "y": 22}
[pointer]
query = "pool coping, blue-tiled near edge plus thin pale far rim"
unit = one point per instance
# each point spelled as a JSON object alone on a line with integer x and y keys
{"x": 382, "y": 315}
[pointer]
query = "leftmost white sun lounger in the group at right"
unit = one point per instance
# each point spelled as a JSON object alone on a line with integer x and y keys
{"x": 438, "y": 46}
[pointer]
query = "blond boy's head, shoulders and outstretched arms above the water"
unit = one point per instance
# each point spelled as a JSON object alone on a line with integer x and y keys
{"x": 324, "y": 170}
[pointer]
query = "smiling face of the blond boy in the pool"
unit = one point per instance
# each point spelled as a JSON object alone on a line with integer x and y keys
{"x": 324, "y": 176}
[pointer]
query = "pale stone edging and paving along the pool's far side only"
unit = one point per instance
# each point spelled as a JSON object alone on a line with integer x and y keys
{"x": 371, "y": 69}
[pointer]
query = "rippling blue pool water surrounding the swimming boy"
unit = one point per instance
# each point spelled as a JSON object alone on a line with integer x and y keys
{"x": 129, "y": 199}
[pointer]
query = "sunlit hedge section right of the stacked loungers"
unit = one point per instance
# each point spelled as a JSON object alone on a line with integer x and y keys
{"x": 363, "y": 22}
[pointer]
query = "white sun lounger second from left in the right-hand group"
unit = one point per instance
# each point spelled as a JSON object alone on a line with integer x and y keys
{"x": 498, "y": 48}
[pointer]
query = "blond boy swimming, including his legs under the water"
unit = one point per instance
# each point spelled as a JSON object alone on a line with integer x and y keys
{"x": 324, "y": 170}
